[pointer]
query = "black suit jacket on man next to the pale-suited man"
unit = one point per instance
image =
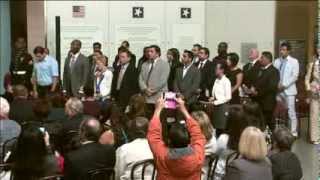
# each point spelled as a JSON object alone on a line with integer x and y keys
{"x": 267, "y": 87}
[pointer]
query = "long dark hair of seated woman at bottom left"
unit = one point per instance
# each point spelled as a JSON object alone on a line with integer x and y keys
{"x": 30, "y": 154}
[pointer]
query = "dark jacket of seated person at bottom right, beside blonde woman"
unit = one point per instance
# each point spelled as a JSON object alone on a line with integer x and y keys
{"x": 286, "y": 166}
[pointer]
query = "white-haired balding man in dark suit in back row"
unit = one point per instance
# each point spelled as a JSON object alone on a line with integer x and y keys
{"x": 251, "y": 69}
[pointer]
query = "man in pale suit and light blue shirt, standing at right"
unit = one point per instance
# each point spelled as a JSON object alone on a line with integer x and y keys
{"x": 287, "y": 90}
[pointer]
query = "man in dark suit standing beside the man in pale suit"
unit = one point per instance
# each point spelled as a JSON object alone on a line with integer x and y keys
{"x": 265, "y": 89}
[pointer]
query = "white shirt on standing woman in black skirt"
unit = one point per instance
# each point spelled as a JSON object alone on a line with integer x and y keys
{"x": 221, "y": 90}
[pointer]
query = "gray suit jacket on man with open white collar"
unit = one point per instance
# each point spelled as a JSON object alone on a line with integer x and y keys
{"x": 189, "y": 84}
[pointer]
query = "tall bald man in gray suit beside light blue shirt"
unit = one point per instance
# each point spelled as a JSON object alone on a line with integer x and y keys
{"x": 76, "y": 68}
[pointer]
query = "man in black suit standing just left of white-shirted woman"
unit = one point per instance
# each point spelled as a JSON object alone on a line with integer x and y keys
{"x": 207, "y": 70}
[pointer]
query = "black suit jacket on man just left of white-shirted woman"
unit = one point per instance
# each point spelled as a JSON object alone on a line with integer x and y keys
{"x": 207, "y": 78}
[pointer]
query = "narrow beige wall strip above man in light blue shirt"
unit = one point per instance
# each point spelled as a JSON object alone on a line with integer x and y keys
{"x": 35, "y": 24}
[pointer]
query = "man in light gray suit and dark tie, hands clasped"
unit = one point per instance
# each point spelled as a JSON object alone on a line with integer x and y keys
{"x": 154, "y": 76}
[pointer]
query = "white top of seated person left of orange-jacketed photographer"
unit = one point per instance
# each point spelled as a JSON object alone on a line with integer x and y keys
{"x": 130, "y": 153}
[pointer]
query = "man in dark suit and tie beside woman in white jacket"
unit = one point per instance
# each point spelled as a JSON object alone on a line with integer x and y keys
{"x": 125, "y": 80}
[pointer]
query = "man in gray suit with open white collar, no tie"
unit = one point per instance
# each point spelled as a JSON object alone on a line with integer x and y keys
{"x": 188, "y": 77}
